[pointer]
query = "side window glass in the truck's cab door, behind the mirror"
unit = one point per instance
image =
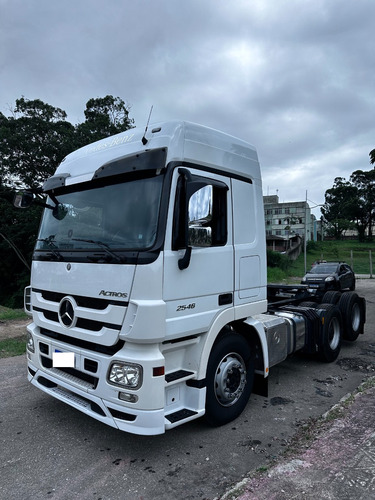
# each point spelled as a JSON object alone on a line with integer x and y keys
{"x": 207, "y": 217}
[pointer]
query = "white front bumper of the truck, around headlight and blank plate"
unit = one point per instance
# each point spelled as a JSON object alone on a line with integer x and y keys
{"x": 162, "y": 402}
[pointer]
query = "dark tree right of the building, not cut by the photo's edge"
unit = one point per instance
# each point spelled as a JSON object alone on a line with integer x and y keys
{"x": 340, "y": 203}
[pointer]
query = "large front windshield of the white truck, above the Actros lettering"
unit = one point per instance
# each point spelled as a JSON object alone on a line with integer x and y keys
{"x": 122, "y": 216}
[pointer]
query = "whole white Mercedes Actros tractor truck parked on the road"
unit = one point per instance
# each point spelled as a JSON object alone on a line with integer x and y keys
{"x": 149, "y": 293}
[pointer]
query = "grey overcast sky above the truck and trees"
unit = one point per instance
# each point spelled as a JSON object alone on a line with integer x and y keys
{"x": 294, "y": 78}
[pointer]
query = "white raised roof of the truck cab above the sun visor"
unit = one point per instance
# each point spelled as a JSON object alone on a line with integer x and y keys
{"x": 183, "y": 141}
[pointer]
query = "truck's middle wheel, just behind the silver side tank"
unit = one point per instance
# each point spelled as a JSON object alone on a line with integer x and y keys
{"x": 330, "y": 332}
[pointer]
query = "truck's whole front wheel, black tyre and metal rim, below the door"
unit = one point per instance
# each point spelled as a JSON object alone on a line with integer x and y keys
{"x": 230, "y": 376}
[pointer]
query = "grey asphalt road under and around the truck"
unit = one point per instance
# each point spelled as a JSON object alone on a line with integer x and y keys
{"x": 51, "y": 451}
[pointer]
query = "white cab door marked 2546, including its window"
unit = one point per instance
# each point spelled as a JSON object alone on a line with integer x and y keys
{"x": 198, "y": 257}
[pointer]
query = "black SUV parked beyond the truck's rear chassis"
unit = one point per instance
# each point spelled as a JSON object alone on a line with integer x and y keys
{"x": 330, "y": 276}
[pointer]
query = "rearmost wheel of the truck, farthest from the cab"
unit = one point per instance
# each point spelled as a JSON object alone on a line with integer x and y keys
{"x": 353, "y": 315}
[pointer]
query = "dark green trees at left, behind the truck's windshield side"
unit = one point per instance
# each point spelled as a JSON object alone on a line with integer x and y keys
{"x": 34, "y": 141}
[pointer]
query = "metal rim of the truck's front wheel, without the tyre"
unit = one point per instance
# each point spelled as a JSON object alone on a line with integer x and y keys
{"x": 230, "y": 379}
